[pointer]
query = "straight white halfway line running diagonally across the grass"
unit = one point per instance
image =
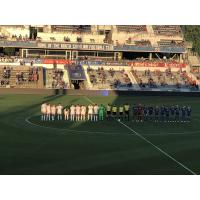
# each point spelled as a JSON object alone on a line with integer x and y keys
{"x": 155, "y": 146}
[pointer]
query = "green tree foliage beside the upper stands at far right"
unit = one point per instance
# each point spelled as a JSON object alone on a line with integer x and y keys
{"x": 192, "y": 34}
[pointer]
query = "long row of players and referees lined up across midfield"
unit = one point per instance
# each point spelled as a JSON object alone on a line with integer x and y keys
{"x": 99, "y": 112}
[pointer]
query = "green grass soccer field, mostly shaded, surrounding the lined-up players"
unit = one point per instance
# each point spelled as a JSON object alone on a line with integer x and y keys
{"x": 29, "y": 146}
